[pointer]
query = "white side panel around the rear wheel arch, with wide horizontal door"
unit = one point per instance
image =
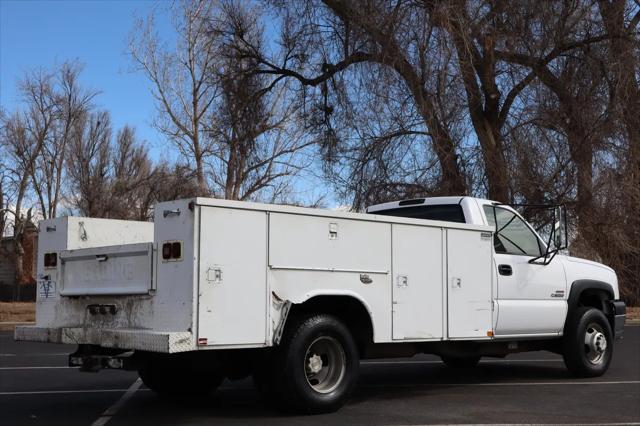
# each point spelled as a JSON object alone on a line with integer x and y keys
{"x": 306, "y": 260}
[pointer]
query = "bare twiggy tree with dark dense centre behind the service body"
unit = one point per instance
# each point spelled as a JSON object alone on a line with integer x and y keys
{"x": 256, "y": 144}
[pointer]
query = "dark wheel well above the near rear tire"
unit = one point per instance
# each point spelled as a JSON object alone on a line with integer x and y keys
{"x": 348, "y": 309}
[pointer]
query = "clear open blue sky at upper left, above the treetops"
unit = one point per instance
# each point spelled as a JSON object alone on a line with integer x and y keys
{"x": 38, "y": 34}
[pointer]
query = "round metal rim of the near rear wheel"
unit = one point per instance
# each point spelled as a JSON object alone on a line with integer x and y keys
{"x": 324, "y": 364}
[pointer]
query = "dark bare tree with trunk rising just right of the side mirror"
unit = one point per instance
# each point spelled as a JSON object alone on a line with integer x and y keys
{"x": 575, "y": 77}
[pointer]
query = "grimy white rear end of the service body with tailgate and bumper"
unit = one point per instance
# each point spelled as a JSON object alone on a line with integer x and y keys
{"x": 156, "y": 315}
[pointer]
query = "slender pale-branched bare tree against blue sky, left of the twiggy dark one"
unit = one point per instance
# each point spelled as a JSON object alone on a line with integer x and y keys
{"x": 182, "y": 88}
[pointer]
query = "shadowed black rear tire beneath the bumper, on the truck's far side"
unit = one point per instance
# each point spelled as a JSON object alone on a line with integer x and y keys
{"x": 176, "y": 376}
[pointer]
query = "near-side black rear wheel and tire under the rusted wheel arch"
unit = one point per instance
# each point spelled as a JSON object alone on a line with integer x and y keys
{"x": 316, "y": 366}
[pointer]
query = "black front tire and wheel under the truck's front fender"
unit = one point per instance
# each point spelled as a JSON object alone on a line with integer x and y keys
{"x": 587, "y": 342}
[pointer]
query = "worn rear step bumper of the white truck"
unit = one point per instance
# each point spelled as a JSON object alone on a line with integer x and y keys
{"x": 129, "y": 339}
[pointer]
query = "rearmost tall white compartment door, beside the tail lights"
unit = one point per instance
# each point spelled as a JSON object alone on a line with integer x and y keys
{"x": 232, "y": 303}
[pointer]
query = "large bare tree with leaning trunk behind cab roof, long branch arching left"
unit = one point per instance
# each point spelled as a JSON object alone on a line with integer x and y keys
{"x": 341, "y": 36}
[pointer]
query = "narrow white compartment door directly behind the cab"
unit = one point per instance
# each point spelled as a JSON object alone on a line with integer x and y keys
{"x": 469, "y": 278}
